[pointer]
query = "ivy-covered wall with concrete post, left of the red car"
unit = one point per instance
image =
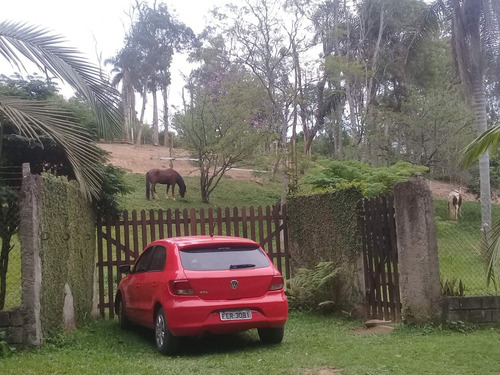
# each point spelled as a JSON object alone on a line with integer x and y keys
{"x": 57, "y": 236}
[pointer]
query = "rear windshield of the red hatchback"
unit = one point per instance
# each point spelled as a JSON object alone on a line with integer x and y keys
{"x": 223, "y": 258}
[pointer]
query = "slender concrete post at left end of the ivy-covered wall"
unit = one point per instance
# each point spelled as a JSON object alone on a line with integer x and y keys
{"x": 30, "y": 233}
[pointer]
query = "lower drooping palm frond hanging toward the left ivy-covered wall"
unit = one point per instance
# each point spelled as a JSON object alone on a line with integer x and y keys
{"x": 34, "y": 117}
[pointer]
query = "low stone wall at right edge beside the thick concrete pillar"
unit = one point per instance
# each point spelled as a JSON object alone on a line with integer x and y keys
{"x": 472, "y": 309}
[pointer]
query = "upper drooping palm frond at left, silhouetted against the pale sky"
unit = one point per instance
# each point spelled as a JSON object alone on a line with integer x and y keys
{"x": 19, "y": 41}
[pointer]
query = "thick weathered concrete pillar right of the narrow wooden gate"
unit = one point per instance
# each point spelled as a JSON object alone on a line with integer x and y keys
{"x": 417, "y": 252}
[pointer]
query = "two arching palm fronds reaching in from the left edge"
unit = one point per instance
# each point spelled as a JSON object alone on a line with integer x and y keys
{"x": 21, "y": 43}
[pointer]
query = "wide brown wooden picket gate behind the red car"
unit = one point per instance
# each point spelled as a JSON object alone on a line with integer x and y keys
{"x": 121, "y": 241}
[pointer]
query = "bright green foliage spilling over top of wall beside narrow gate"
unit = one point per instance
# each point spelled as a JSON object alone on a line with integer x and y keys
{"x": 336, "y": 175}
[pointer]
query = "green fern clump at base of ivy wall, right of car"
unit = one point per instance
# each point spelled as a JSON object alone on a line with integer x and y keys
{"x": 313, "y": 289}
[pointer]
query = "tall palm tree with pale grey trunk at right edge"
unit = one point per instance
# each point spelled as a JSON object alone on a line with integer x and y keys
{"x": 475, "y": 46}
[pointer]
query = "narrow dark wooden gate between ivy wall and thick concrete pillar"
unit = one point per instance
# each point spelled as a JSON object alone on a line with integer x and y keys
{"x": 380, "y": 255}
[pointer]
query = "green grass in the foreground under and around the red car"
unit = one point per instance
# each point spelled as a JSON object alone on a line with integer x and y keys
{"x": 311, "y": 343}
